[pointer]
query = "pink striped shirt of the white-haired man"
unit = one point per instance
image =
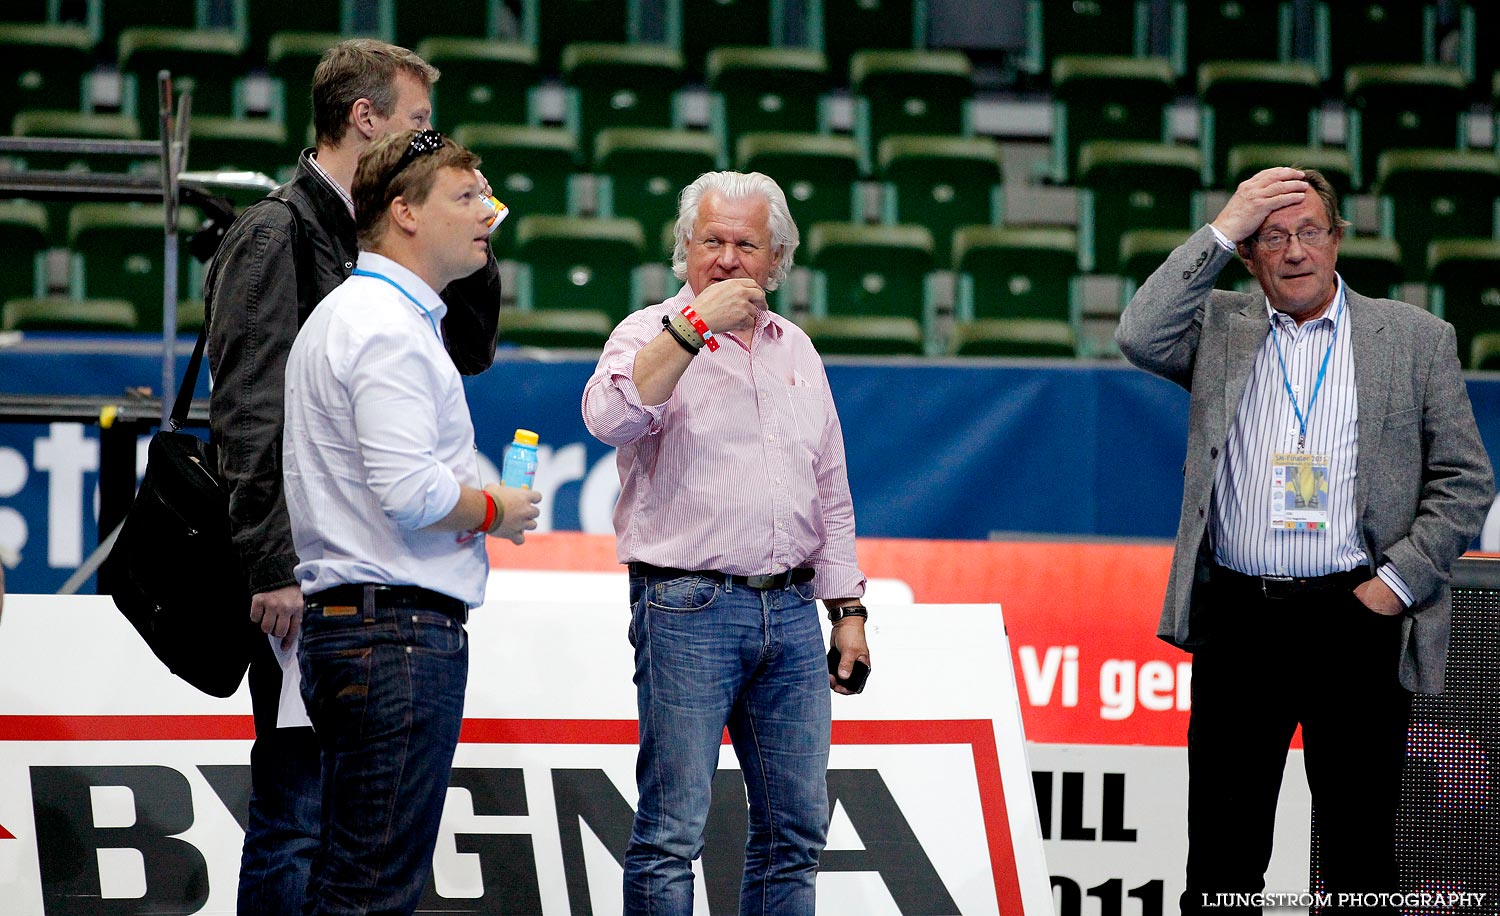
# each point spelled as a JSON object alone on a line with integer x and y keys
{"x": 742, "y": 470}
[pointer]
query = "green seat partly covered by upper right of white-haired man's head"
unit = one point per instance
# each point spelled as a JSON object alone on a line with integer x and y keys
{"x": 820, "y": 173}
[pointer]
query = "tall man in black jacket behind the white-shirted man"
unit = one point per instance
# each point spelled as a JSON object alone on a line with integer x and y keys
{"x": 275, "y": 265}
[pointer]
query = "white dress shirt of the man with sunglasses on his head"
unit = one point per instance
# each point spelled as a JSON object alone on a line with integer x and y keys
{"x": 379, "y": 440}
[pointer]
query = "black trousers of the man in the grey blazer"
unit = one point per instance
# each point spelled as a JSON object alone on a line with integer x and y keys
{"x": 1328, "y": 663}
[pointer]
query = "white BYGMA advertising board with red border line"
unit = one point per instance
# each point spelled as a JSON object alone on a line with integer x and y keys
{"x": 124, "y": 791}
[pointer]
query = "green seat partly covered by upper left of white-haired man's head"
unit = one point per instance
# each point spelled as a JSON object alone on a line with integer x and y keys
{"x": 646, "y": 170}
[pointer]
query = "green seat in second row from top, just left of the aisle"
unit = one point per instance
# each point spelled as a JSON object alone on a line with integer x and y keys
{"x": 910, "y": 92}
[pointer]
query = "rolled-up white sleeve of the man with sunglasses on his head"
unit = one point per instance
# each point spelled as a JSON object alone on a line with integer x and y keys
{"x": 397, "y": 427}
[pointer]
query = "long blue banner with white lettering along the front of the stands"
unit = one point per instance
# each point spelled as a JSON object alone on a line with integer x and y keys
{"x": 935, "y": 451}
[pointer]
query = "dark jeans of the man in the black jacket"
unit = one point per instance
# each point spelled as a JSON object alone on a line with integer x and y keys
{"x": 281, "y": 831}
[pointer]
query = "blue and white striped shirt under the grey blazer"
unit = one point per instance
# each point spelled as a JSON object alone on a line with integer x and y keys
{"x": 1267, "y": 424}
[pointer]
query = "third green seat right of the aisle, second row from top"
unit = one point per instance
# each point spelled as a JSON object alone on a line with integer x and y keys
{"x": 1399, "y": 107}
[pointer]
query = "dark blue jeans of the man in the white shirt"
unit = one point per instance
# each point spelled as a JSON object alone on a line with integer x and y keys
{"x": 385, "y": 690}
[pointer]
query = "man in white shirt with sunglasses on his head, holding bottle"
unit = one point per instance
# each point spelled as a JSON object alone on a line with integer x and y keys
{"x": 388, "y": 510}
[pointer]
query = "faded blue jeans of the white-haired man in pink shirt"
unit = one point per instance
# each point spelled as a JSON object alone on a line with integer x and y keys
{"x": 709, "y": 656}
